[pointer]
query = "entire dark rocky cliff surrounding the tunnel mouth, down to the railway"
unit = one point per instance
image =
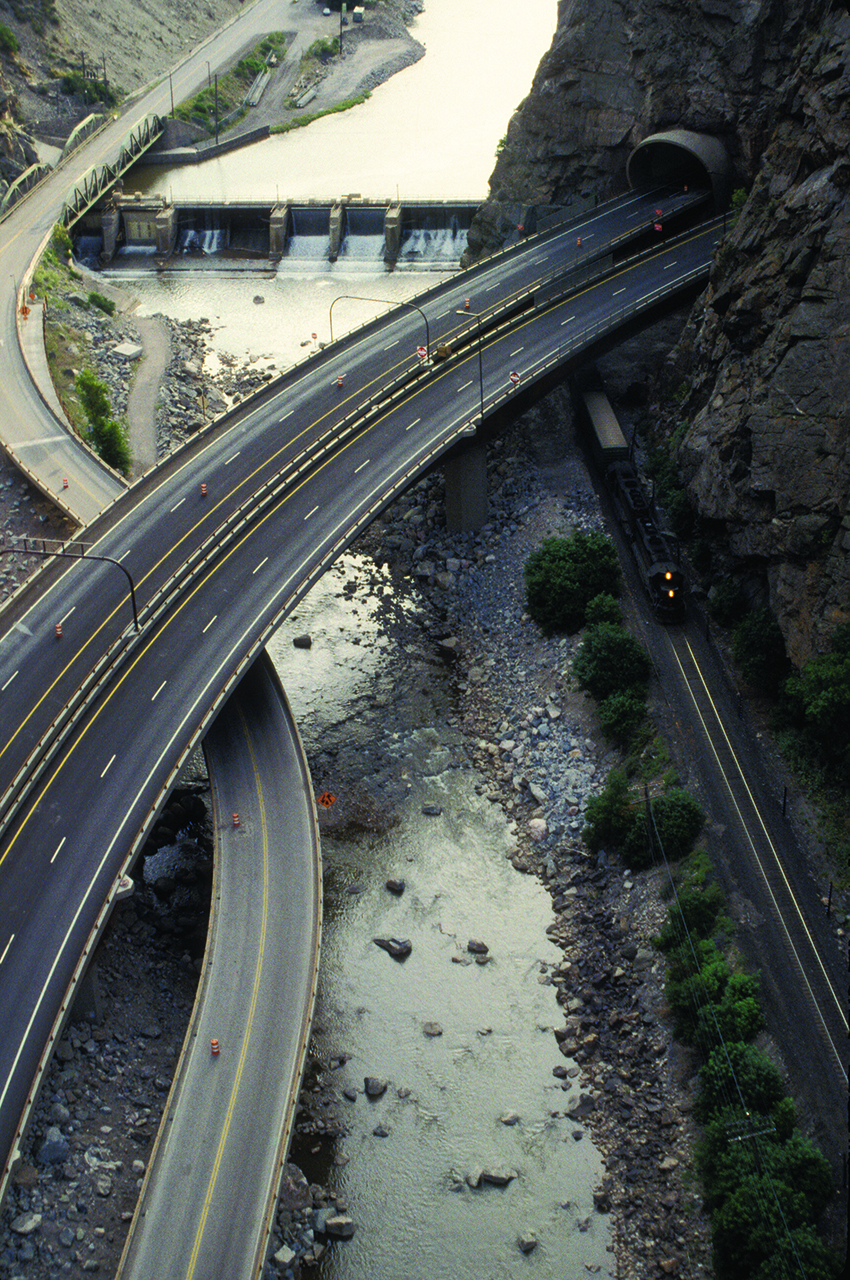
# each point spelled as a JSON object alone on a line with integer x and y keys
{"x": 766, "y": 353}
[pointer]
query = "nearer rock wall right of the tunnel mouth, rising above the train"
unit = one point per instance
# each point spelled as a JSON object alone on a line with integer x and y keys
{"x": 767, "y": 356}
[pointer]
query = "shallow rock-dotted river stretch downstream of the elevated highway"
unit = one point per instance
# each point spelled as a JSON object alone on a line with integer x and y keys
{"x": 377, "y": 707}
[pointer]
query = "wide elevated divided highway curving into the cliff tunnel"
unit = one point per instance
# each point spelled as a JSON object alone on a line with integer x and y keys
{"x": 290, "y": 482}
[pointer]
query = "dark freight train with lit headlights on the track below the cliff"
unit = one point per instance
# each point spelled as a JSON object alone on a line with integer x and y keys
{"x": 661, "y": 575}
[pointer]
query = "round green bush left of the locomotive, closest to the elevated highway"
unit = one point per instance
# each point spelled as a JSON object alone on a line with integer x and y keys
{"x": 565, "y": 574}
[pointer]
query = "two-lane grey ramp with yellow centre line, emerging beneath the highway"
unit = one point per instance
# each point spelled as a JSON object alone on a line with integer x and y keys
{"x": 209, "y": 1196}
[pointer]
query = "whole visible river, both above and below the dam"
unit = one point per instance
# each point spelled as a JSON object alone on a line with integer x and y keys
{"x": 381, "y": 710}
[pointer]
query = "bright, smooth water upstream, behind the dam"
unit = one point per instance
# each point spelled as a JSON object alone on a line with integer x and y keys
{"x": 429, "y": 132}
